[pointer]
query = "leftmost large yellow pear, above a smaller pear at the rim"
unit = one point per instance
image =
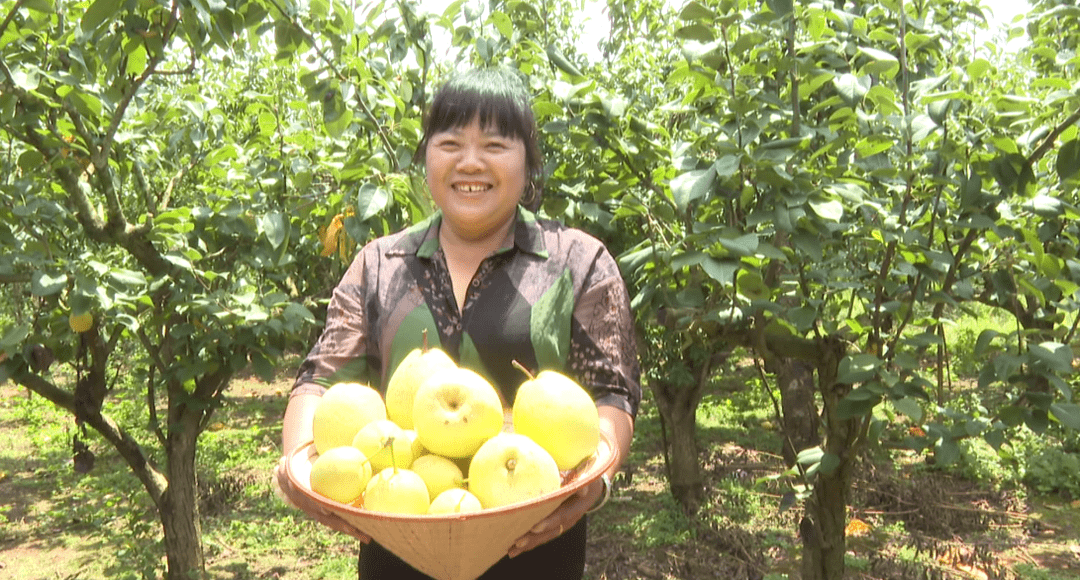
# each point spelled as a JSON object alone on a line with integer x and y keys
{"x": 344, "y": 410}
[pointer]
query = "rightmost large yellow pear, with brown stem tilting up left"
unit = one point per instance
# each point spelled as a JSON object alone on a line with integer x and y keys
{"x": 556, "y": 412}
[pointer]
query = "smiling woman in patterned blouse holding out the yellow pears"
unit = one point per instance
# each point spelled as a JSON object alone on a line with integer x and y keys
{"x": 495, "y": 285}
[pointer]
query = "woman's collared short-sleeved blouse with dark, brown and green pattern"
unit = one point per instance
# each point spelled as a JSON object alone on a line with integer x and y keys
{"x": 551, "y": 299}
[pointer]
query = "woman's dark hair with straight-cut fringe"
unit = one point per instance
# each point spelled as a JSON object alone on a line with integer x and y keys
{"x": 498, "y": 99}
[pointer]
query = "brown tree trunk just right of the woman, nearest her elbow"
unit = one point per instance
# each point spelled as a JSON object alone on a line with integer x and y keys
{"x": 679, "y": 406}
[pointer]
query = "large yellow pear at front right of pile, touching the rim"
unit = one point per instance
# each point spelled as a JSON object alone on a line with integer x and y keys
{"x": 511, "y": 468}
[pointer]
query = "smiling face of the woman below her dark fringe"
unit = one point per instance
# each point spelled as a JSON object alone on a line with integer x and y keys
{"x": 477, "y": 178}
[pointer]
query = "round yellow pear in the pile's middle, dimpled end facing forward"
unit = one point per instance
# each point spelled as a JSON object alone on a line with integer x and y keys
{"x": 455, "y": 412}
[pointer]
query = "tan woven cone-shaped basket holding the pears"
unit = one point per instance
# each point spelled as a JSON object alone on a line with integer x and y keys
{"x": 457, "y": 547}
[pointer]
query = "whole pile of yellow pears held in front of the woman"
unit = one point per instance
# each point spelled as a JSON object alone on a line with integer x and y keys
{"x": 441, "y": 442}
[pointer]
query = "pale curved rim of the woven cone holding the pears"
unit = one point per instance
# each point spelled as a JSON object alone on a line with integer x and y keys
{"x": 595, "y": 468}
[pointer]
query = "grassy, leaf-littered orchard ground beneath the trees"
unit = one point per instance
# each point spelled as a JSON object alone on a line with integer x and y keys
{"x": 908, "y": 520}
